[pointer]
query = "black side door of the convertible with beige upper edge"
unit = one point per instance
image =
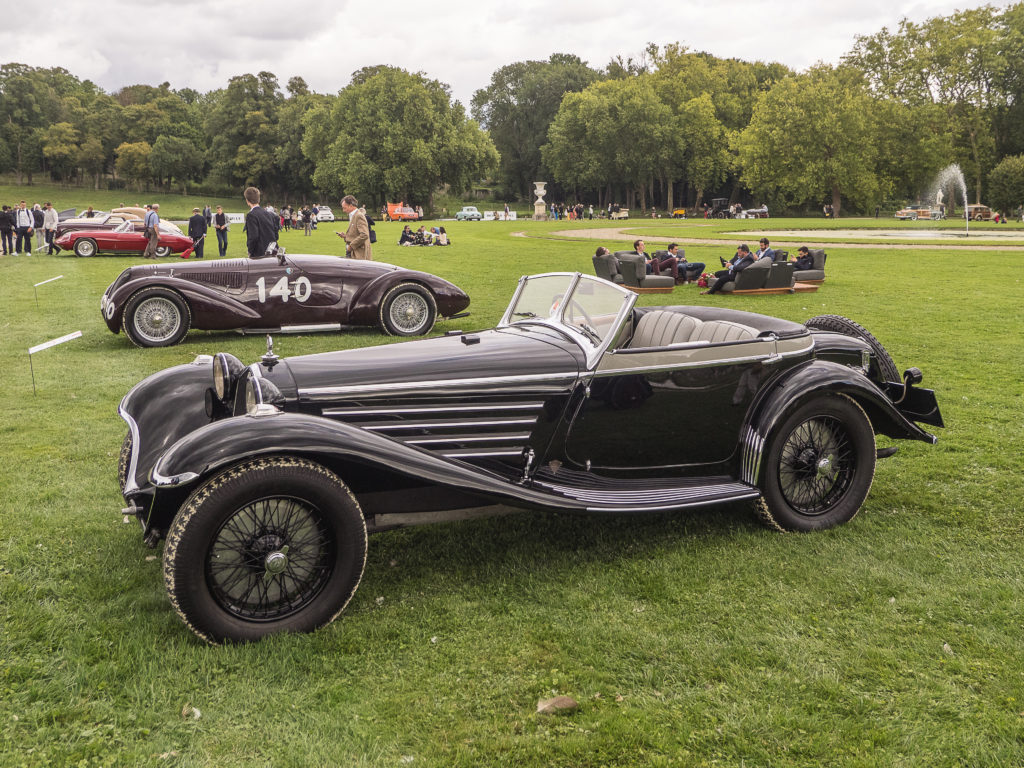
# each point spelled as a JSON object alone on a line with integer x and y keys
{"x": 668, "y": 409}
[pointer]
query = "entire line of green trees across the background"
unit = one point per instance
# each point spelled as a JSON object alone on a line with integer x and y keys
{"x": 670, "y": 127}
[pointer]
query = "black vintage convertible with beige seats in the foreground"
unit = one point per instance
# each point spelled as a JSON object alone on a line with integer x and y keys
{"x": 266, "y": 479}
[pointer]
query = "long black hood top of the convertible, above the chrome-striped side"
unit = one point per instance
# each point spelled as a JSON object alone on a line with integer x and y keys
{"x": 526, "y": 353}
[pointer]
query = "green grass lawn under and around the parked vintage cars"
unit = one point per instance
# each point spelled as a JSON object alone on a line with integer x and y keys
{"x": 696, "y": 639}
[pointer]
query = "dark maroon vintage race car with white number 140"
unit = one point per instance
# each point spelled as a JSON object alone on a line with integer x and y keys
{"x": 156, "y": 305}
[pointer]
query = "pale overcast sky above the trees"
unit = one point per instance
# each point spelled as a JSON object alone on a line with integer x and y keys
{"x": 203, "y": 45}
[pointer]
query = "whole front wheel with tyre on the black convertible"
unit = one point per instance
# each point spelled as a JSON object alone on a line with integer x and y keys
{"x": 271, "y": 545}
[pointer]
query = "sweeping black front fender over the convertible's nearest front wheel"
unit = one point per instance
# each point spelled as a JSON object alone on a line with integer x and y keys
{"x": 202, "y": 453}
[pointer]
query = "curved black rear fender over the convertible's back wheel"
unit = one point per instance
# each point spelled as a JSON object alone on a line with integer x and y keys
{"x": 812, "y": 380}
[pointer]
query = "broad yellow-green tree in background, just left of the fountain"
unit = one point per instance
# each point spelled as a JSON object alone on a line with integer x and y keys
{"x": 819, "y": 145}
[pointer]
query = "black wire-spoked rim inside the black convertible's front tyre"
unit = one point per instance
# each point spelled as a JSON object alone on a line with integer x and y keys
{"x": 270, "y": 560}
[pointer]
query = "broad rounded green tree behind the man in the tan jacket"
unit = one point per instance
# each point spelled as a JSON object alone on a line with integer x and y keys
{"x": 396, "y": 136}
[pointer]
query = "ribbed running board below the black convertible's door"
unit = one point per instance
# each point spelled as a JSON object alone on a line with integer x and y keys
{"x": 655, "y": 495}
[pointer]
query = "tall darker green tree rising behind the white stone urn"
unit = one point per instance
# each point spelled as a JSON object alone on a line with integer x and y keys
{"x": 518, "y": 108}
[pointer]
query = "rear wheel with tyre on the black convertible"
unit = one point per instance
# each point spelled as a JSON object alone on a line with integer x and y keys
{"x": 820, "y": 465}
